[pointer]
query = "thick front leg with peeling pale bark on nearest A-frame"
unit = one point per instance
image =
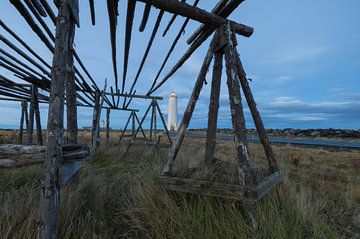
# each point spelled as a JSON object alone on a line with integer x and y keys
{"x": 245, "y": 174}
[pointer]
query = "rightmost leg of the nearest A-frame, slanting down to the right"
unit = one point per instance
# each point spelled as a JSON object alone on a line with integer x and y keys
{"x": 256, "y": 115}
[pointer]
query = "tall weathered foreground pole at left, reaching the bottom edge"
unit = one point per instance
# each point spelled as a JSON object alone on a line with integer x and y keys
{"x": 50, "y": 193}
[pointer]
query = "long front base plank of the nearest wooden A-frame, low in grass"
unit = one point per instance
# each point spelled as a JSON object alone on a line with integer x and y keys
{"x": 213, "y": 189}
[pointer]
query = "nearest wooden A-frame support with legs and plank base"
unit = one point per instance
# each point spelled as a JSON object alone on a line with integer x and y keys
{"x": 248, "y": 190}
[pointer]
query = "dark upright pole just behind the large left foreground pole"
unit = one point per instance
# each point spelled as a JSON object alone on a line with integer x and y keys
{"x": 71, "y": 106}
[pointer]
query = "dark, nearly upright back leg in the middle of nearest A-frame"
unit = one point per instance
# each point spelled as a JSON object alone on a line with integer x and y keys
{"x": 213, "y": 109}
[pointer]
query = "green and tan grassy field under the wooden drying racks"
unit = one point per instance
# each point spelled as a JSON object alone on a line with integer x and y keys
{"x": 118, "y": 196}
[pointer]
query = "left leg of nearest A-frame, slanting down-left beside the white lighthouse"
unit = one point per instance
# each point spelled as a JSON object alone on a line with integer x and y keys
{"x": 189, "y": 110}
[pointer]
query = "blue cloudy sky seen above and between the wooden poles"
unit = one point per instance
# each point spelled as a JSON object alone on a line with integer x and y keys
{"x": 303, "y": 58}
